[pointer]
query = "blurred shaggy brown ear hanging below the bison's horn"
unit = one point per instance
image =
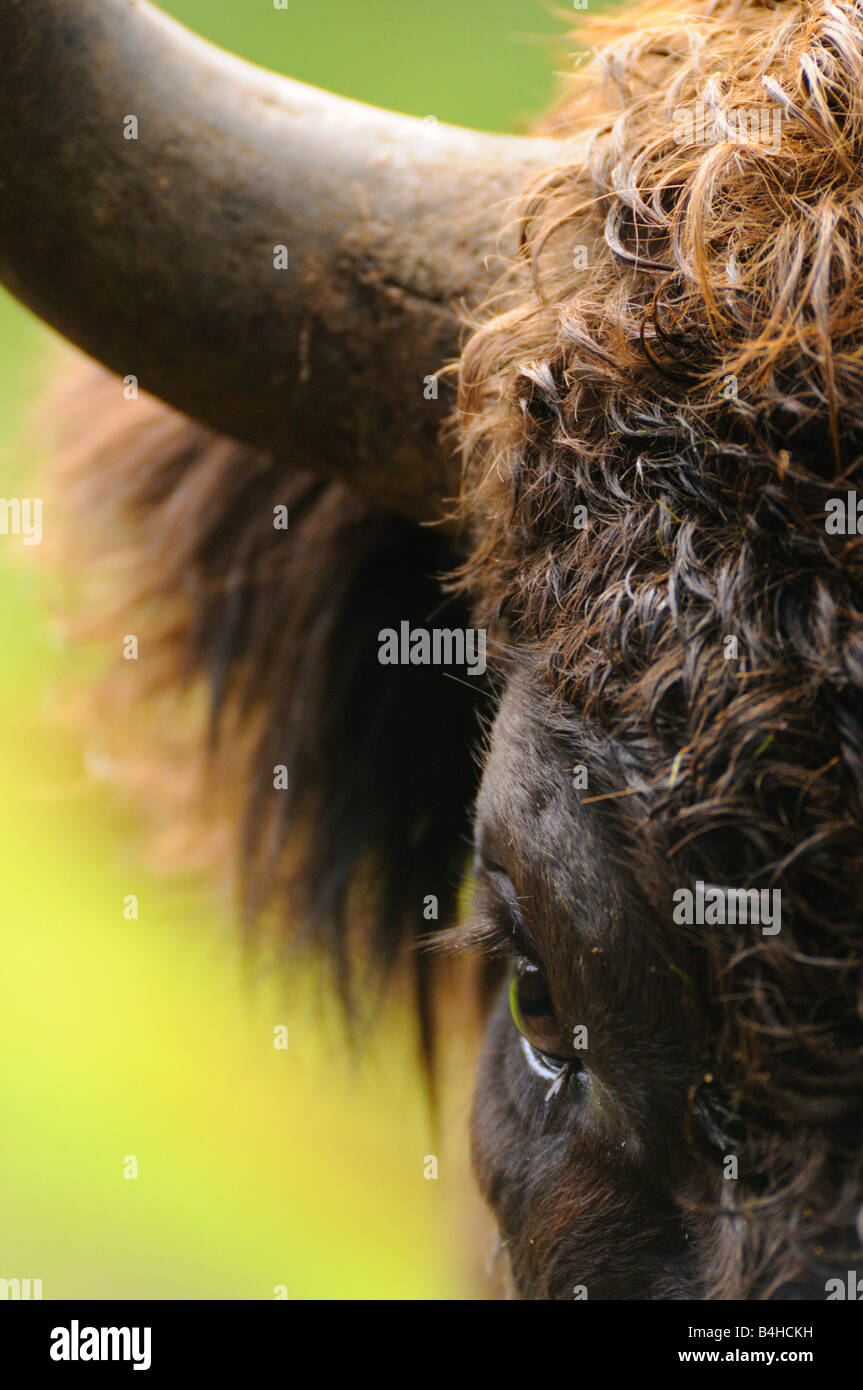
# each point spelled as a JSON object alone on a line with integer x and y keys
{"x": 268, "y": 590}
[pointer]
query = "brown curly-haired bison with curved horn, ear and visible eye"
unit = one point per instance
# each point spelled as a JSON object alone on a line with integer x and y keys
{"x": 586, "y": 409}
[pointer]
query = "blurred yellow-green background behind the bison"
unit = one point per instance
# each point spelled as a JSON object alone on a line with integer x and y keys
{"x": 258, "y": 1168}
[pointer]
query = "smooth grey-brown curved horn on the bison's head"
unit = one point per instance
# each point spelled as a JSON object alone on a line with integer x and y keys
{"x": 158, "y": 254}
